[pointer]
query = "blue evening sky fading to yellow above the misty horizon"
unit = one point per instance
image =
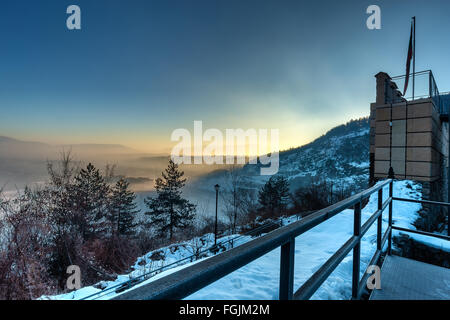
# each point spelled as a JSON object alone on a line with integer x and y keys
{"x": 139, "y": 69}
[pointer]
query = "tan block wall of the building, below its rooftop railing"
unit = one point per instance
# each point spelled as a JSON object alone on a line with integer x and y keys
{"x": 408, "y": 137}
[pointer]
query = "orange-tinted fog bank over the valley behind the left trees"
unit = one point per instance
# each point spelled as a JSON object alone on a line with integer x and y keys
{"x": 24, "y": 163}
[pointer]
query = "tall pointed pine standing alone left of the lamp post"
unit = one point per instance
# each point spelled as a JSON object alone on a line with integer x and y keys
{"x": 169, "y": 211}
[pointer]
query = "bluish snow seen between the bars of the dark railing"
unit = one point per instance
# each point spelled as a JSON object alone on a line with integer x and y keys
{"x": 260, "y": 279}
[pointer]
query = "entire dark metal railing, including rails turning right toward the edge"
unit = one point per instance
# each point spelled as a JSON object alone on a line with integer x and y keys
{"x": 182, "y": 283}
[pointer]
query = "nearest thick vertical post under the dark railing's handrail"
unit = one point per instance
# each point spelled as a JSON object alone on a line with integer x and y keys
{"x": 287, "y": 270}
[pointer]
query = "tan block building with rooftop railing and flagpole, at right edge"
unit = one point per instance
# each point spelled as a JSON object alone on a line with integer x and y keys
{"x": 410, "y": 135}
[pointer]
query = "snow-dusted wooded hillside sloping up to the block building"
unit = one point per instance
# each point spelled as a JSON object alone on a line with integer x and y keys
{"x": 340, "y": 156}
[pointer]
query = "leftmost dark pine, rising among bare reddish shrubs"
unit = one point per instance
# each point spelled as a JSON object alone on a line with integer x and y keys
{"x": 90, "y": 201}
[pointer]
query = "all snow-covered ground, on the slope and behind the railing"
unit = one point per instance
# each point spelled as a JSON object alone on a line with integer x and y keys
{"x": 259, "y": 279}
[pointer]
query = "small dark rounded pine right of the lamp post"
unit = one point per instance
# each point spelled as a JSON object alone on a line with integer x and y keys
{"x": 274, "y": 195}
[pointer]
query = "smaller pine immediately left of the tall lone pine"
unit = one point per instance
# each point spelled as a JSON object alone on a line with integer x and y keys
{"x": 123, "y": 209}
